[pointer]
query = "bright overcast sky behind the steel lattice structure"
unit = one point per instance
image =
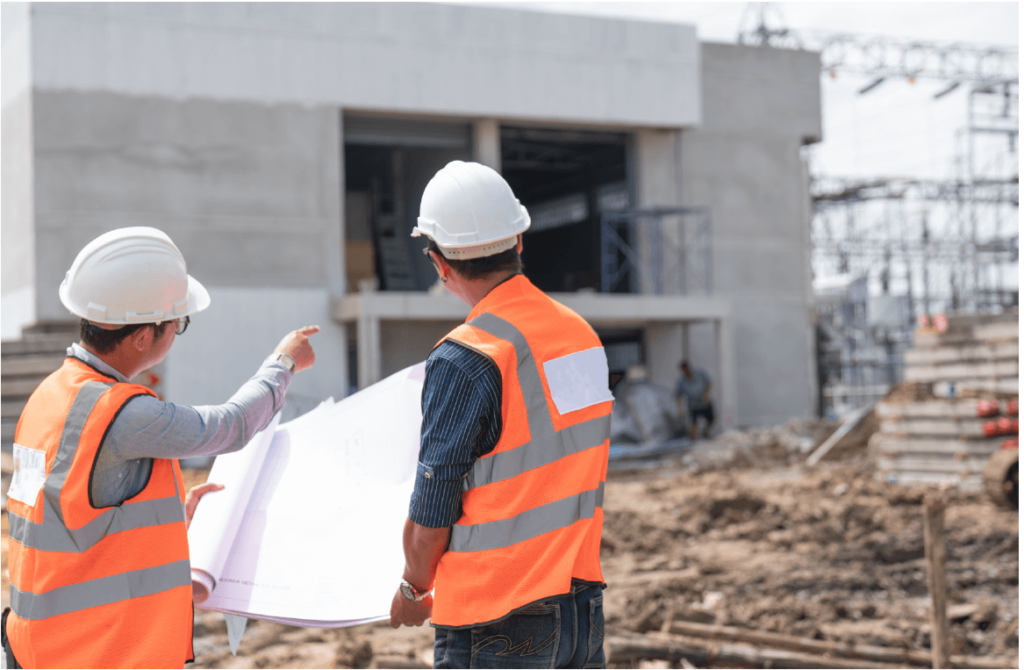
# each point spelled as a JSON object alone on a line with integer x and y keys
{"x": 898, "y": 130}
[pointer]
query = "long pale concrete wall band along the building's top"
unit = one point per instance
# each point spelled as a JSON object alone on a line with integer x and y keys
{"x": 402, "y": 57}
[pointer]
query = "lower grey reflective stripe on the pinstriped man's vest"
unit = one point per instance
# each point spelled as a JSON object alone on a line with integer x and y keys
{"x": 529, "y": 525}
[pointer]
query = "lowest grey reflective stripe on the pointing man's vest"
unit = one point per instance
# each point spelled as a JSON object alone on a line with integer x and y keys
{"x": 97, "y": 593}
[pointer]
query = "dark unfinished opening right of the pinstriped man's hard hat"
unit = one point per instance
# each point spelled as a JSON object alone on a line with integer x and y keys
{"x": 566, "y": 179}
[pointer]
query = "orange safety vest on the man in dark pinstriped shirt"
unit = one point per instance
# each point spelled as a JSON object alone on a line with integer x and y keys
{"x": 532, "y": 509}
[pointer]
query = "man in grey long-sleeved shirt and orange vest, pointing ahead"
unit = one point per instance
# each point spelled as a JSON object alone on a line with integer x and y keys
{"x": 99, "y": 559}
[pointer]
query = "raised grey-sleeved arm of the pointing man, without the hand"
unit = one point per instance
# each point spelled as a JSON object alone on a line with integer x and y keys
{"x": 152, "y": 429}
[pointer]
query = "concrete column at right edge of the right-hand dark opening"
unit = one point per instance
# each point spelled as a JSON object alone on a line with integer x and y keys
{"x": 658, "y": 175}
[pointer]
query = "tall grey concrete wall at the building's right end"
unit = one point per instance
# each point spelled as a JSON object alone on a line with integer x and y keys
{"x": 760, "y": 107}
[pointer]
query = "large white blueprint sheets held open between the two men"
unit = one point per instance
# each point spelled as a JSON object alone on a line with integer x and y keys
{"x": 309, "y": 528}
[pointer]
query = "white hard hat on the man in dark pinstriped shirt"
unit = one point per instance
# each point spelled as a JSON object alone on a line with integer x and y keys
{"x": 471, "y": 213}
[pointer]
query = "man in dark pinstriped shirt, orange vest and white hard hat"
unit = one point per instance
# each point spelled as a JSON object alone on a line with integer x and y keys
{"x": 505, "y": 520}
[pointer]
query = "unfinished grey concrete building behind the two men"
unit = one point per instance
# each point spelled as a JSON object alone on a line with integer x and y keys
{"x": 285, "y": 146}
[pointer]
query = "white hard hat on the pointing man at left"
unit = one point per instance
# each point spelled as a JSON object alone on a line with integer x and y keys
{"x": 132, "y": 276}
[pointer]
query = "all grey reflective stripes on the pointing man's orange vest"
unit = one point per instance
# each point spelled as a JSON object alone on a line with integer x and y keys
{"x": 54, "y": 535}
